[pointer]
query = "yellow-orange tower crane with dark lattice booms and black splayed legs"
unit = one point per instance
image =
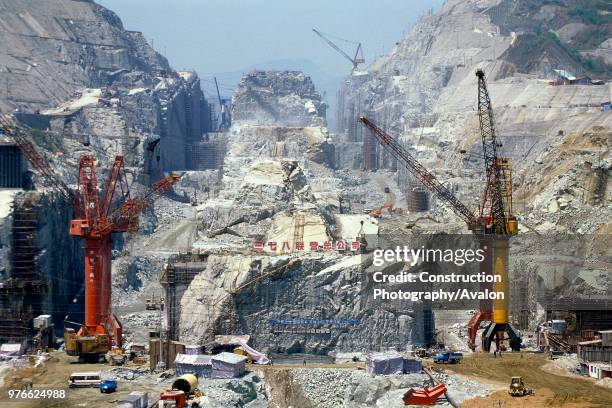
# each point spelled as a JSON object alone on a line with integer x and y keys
{"x": 493, "y": 226}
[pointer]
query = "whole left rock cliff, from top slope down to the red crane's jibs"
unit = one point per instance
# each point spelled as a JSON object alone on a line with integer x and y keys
{"x": 70, "y": 67}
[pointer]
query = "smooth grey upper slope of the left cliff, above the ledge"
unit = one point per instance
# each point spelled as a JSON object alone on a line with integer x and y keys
{"x": 54, "y": 48}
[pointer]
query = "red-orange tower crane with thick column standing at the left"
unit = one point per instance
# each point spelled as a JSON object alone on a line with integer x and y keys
{"x": 96, "y": 223}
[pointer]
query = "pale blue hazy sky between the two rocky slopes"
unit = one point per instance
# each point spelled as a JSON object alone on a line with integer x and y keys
{"x": 220, "y": 36}
